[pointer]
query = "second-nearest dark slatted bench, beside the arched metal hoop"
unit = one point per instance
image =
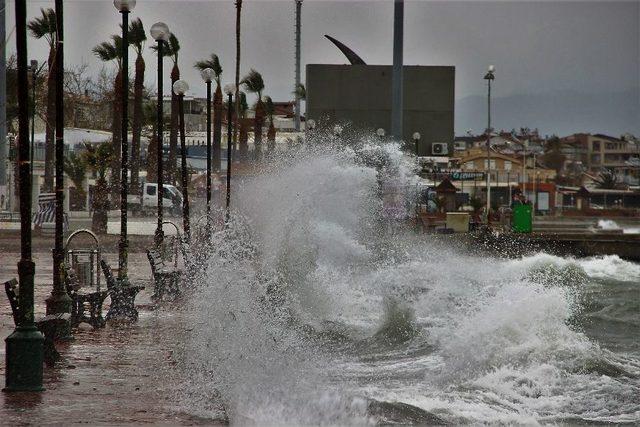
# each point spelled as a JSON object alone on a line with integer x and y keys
{"x": 86, "y": 306}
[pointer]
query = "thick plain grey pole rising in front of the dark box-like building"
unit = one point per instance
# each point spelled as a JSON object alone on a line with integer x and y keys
{"x": 396, "y": 84}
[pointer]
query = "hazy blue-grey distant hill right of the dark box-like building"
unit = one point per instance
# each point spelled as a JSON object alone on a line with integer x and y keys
{"x": 561, "y": 113}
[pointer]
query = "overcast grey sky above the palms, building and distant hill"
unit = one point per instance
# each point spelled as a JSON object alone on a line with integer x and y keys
{"x": 535, "y": 46}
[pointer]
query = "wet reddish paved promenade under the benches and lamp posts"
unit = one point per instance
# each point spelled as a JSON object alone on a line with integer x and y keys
{"x": 115, "y": 375}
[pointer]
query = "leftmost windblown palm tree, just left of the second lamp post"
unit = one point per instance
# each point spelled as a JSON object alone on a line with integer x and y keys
{"x": 44, "y": 26}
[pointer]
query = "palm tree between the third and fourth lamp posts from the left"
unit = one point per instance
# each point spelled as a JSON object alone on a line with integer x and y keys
{"x": 137, "y": 37}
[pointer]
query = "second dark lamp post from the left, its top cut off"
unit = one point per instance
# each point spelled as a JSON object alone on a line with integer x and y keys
{"x": 59, "y": 300}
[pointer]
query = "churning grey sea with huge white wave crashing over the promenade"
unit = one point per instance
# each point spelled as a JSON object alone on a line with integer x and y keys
{"x": 310, "y": 308}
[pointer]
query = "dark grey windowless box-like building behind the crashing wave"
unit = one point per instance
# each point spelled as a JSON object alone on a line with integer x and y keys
{"x": 361, "y": 94}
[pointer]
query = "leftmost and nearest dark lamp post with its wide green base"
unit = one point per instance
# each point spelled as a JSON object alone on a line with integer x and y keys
{"x": 25, "y": 346}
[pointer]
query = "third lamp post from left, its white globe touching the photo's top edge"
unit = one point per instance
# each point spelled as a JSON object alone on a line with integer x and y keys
{"x": 124, "y": 7}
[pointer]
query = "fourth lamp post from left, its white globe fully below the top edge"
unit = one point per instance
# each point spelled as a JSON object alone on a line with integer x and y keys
{"x": 160, "y": 33}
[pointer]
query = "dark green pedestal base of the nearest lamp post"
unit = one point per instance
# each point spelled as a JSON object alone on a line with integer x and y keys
{"x": 24, "y": 360}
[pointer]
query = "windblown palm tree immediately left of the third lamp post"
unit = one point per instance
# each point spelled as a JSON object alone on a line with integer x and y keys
{"x": 112, "y": 51}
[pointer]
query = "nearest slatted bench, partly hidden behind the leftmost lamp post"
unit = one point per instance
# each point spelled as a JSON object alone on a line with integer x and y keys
{"x": 48, "y": 325}
